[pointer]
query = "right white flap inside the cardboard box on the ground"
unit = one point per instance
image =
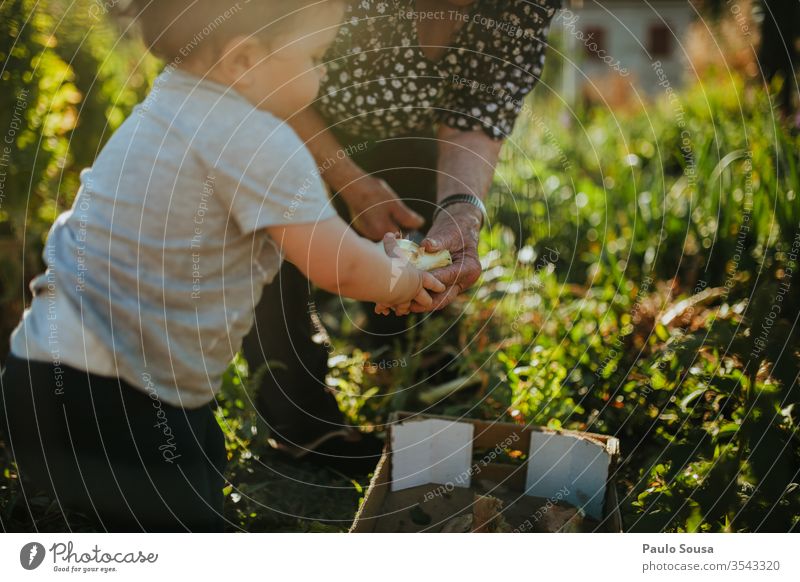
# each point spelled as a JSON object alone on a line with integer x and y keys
{"x": 570, "y": 467}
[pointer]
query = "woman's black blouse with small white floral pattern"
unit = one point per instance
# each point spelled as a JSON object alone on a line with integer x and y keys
{"x": 380, "y": 84}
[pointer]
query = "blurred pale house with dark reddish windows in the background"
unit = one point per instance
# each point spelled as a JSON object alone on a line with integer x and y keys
{"x": 614, "y": 49}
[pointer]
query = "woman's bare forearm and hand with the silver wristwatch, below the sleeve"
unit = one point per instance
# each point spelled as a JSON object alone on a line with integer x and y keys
{"x": 466, "y": 165}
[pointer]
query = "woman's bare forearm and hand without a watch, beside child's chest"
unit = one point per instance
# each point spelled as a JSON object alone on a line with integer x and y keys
{"x": 374, "y": 207}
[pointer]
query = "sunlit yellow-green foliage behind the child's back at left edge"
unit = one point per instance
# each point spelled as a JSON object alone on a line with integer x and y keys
{"x": 69, "y": 79}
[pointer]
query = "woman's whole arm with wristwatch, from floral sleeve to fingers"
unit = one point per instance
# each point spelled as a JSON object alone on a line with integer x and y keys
{"x": 474, "y": 125}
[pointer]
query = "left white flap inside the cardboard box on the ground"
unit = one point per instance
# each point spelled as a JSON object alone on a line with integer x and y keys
{"x": 431, "y": 451}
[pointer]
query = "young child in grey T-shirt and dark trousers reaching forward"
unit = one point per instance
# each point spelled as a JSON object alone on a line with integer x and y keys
{"x": 153, "y": 274}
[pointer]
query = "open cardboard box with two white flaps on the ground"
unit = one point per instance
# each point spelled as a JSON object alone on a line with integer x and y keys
{"x": 433, "y": 467}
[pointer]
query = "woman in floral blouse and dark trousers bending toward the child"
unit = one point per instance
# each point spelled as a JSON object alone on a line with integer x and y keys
{"x": 420, "y": 95}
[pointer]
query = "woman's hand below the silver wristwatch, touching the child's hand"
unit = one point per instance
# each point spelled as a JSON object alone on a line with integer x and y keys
{"x": 456, "y": 229}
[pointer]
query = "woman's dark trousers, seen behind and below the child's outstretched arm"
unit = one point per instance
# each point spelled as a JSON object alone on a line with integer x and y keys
{"x": 292, "y": 397}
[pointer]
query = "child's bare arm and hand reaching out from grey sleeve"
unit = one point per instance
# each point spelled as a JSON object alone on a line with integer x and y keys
{"x": 335, "y": 258}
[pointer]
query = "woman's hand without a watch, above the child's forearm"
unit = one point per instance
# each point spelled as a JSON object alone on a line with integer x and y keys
{"x": 376, "y": 209}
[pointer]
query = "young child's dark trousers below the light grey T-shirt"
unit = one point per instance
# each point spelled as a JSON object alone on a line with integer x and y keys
{"x": 120, "y": 457}
